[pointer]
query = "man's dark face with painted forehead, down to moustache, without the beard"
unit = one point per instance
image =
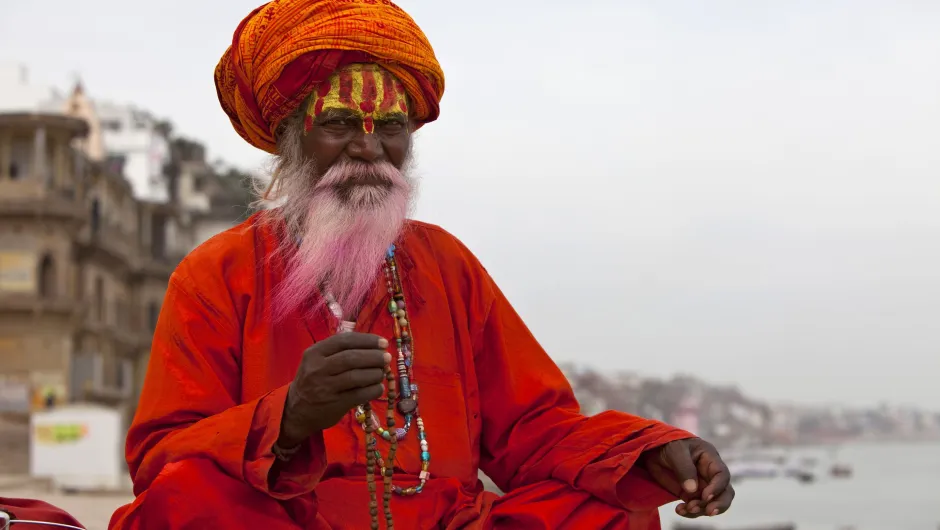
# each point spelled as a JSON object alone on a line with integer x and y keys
{"x": 359, "y": 115}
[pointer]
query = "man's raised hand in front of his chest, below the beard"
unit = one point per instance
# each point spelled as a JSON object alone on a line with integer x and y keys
{"x": 335, "y": 375}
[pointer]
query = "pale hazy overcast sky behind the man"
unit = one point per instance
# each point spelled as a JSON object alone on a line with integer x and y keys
{"x": 747, "y": 191}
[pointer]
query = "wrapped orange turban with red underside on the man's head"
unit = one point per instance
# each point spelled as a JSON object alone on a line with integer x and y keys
{"x": 283, "y": 49}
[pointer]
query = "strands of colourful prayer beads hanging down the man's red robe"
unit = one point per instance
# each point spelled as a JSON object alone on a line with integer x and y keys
{"x": 401, "y": 394}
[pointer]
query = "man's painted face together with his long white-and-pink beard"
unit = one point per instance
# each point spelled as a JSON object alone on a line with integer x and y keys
{"x": 348, "y": 190}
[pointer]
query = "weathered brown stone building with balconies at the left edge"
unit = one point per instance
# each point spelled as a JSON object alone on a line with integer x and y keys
{"x": 83, "y": 271}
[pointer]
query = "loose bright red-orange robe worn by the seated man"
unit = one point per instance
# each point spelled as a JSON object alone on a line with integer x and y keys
{"x": 199, "y": 449}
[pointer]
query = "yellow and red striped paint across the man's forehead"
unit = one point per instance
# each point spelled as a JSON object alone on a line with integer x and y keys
{"x": 368, "y": 90}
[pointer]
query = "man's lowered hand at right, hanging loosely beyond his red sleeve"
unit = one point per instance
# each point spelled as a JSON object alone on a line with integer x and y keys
{"x": 693, "y": 471}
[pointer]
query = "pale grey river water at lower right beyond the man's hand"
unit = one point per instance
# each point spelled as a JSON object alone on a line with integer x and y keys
{"x": 894, "y": 487}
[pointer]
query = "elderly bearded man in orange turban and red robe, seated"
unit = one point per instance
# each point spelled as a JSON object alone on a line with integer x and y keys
{"x": 329, "y": 364}
